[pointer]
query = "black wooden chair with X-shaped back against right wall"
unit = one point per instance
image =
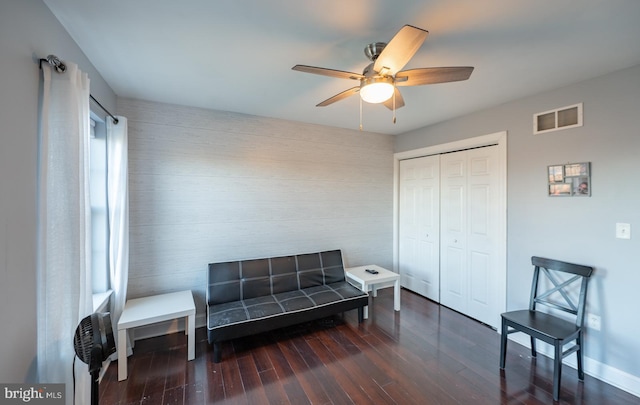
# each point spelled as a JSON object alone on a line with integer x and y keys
{"x": 568, "y": 293}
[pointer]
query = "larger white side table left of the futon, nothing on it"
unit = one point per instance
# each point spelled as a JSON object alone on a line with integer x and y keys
{"x": 156, "y": 308}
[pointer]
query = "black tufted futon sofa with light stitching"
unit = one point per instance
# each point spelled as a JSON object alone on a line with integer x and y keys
{"x": 246, "y": 297}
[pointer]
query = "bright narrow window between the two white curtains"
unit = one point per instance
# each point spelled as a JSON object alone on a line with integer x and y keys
{"x": 99, "y": 208}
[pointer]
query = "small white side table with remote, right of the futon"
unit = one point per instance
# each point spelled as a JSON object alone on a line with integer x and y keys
{"x": 372, "y": 282}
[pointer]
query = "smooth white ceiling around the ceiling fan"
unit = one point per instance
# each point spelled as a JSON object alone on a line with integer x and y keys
{"x": 237, "y": 55}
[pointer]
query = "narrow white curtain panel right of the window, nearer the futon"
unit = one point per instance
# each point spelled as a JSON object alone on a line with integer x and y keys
{"x": 118, "y": 201}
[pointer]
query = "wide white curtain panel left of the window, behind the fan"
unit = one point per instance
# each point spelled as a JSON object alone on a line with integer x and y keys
{"x": 64, "y": 220}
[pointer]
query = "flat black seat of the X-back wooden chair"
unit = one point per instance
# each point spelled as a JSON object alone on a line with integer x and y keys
{"x": 549, "y": 326}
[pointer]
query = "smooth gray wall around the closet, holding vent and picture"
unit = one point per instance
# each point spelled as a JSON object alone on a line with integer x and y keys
{"x": 580, "y": 230}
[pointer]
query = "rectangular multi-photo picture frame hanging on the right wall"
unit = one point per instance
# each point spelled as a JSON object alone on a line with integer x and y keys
{"x": 569, "y": 180}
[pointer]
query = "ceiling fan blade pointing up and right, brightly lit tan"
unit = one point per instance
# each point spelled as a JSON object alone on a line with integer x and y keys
{"x": 400, "y": 50}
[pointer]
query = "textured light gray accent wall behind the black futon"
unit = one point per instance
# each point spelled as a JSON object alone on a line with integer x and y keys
{"x": 208, "y": 186}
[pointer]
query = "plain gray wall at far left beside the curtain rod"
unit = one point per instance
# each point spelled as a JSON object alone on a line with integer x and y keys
{"x": 28, "y": 31}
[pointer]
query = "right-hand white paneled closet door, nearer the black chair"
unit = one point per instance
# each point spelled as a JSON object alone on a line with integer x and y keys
{"x": 469, "y": 223}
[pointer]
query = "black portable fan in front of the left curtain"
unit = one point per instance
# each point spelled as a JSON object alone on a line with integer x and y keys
{"x": 94, "y": 343}
